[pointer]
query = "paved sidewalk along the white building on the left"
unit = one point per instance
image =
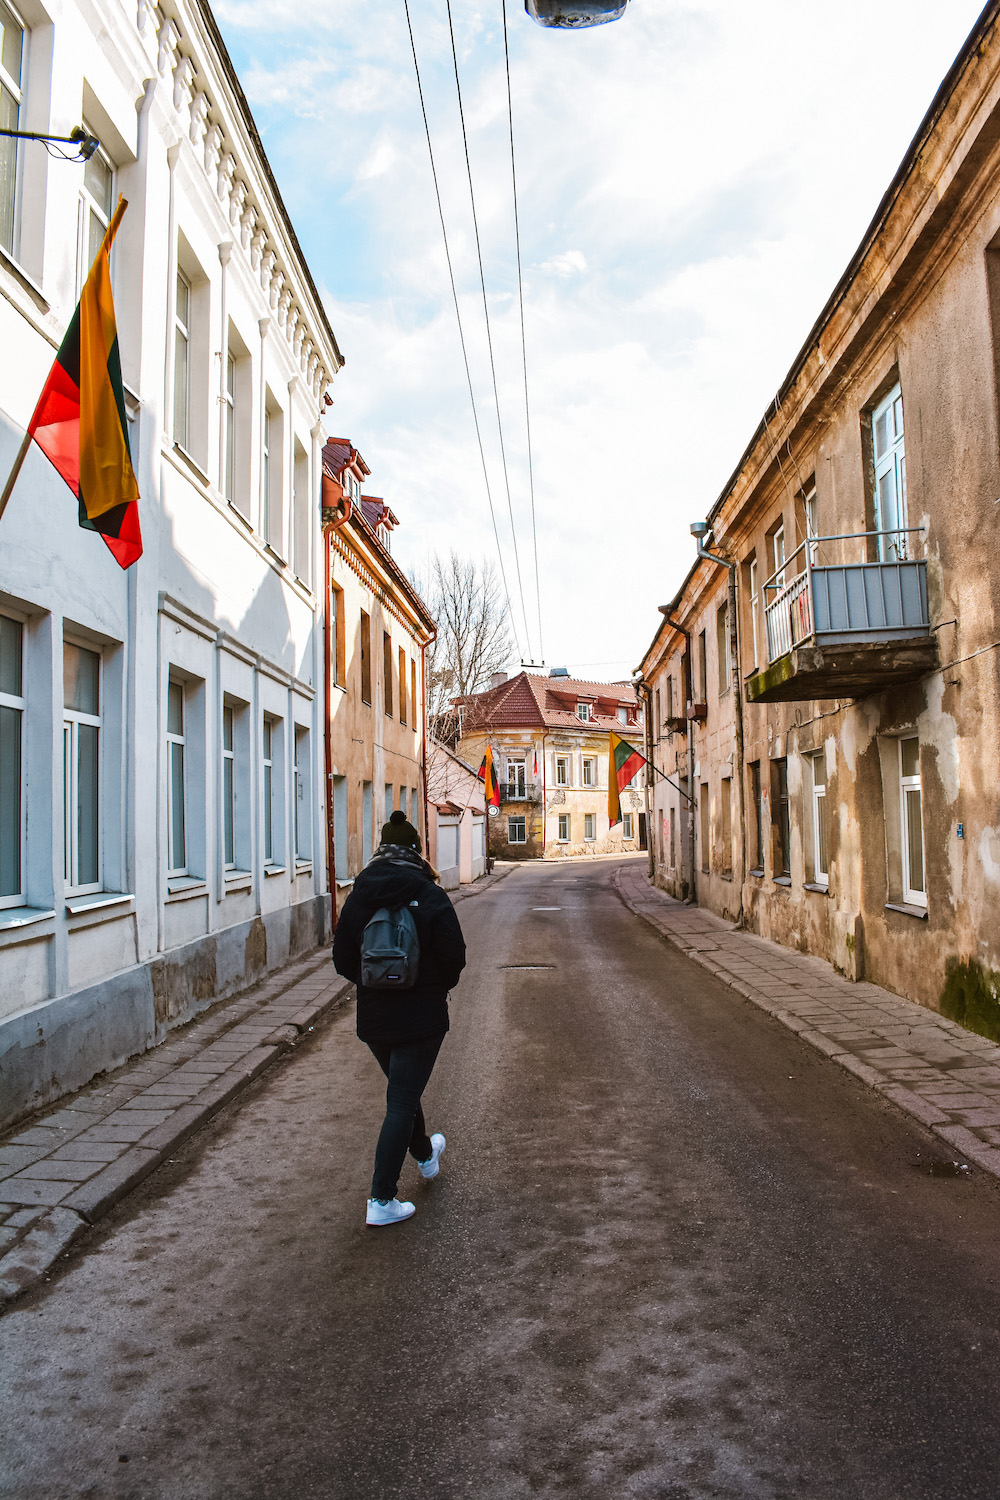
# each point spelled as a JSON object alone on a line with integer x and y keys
{"x": 65, "y": 1168}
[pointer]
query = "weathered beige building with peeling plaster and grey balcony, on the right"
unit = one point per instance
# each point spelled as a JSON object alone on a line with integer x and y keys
{"x": 825, "y": 685}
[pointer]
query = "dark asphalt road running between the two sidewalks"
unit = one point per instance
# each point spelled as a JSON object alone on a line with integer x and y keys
{"x": 672, "y": 1253}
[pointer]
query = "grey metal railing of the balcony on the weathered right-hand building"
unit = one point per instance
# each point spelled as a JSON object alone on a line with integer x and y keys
{"x": 846, "y": 602}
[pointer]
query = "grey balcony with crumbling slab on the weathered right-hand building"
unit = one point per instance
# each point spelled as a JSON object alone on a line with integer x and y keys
{"x": 848, "y": 629}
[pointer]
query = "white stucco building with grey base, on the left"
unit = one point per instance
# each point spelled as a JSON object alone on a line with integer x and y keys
{"x": 163, "y": 824}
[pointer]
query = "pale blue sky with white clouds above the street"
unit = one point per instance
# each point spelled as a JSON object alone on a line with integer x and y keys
{"x": 692, "y": 182}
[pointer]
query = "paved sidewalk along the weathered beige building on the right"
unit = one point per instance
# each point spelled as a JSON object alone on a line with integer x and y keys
{"x": 935, "y": 1070}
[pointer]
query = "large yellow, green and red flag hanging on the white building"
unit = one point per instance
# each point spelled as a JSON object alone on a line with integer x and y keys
{"x": 80, "y": 421}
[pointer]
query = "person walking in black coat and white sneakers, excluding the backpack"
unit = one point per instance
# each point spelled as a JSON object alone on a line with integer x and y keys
{"x": 403, "y": 1028}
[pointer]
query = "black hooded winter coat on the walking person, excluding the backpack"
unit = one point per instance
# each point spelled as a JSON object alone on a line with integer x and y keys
{"x": 397, "y": 878}
